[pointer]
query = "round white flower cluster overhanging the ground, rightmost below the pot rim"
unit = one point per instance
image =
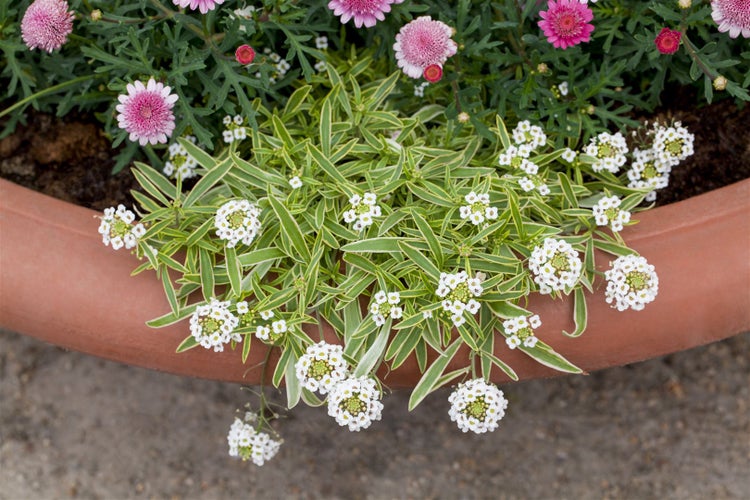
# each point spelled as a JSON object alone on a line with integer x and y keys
{"x": 477, "y": 406}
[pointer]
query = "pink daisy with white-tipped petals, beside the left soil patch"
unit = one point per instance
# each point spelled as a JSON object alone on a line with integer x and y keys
{"x": 146, "y": 112}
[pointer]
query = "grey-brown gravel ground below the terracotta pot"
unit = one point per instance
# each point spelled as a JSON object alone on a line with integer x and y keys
{"x": 73, "y": 426}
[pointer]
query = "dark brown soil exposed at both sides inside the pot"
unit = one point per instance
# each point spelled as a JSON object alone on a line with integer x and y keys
{"x": 72, "y": 160}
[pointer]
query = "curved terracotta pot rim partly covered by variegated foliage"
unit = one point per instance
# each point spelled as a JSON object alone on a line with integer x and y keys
{"x": 59, "y": 283}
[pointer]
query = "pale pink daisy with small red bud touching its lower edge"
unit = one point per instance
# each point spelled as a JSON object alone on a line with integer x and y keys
{"x": 422, "y": 43}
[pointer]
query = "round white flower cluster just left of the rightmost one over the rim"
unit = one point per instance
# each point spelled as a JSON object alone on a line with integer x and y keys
{"x": 555, "y": 265}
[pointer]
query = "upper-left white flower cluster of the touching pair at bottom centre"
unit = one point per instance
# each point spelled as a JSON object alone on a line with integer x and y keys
{"x": 321, "y": 367}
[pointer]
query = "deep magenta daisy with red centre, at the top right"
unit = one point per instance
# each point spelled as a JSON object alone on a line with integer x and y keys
{"x": 566, "y": 23}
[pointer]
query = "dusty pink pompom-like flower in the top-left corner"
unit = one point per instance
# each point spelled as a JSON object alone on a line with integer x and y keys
{"x": 47, "y": 24}
